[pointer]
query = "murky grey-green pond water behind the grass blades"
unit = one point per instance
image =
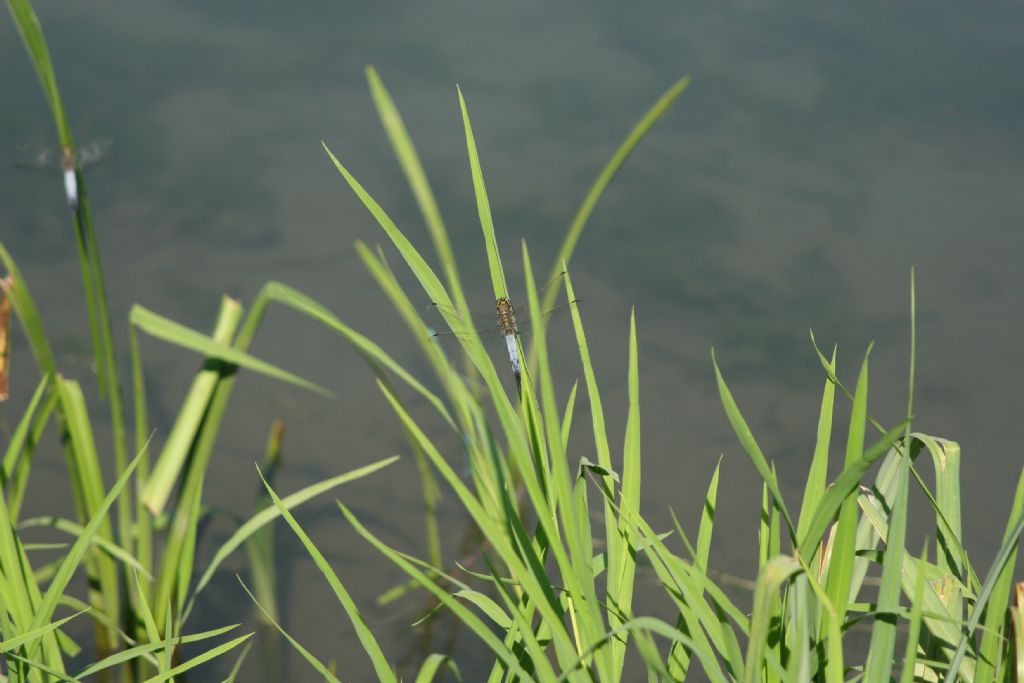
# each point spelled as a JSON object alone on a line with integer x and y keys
{"x": 821, "y": 153}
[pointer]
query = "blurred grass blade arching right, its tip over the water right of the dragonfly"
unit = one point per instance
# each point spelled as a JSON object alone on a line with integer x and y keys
{"x": 608, "y": 174}
